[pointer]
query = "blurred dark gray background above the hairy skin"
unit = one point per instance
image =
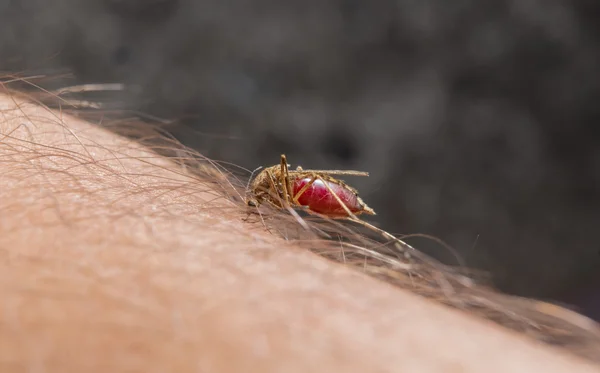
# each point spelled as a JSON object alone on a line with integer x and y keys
{"x": 478, "y": 120}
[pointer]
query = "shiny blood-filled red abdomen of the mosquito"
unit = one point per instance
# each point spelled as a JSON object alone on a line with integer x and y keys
{"x": 320, "y": 200}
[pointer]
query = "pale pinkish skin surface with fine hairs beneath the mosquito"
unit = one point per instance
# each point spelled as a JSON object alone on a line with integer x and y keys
{"x": 120, "y": 265}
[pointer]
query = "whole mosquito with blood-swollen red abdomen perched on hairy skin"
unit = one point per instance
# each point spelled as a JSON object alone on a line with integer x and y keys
{"x": 315, "y": 191}
